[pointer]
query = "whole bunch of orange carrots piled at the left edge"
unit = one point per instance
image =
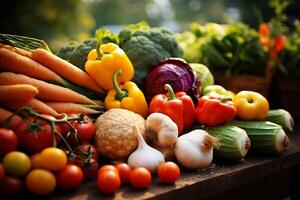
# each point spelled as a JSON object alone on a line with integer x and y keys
{"x": 41, "y": 80}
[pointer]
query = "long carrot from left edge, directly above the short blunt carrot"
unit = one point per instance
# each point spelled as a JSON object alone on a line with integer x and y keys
{"x": 47, "y": 91}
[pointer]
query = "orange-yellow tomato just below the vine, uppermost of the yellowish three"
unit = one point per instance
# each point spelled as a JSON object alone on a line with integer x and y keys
{"x": 53, "y": 158}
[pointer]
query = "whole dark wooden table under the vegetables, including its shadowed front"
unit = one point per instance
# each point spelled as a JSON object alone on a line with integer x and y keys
{"x": 257, "y": 177}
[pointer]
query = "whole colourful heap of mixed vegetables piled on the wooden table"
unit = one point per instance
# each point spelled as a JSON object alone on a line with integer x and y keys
{"x": 121, "y": 109}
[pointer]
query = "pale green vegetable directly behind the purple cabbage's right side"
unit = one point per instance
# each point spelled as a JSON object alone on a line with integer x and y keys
{"x": 204, "y": 75}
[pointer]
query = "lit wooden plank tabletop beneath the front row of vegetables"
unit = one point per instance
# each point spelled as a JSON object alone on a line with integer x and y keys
{"x": 202, "y": 184}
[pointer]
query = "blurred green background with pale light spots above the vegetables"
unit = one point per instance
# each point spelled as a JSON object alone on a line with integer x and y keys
{"x": 58, "y": 22}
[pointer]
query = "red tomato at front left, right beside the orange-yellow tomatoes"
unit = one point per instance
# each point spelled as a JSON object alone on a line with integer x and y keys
{"x": 70, "y": 177}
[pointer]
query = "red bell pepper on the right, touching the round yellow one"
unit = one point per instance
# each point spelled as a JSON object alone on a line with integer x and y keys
{"x": 214, "y": 111}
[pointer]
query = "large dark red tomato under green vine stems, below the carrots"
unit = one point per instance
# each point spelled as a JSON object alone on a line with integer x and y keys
{"x": 36, "y": 141}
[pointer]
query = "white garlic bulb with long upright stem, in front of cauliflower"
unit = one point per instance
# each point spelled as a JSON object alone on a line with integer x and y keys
{"x": 145, "y": 156}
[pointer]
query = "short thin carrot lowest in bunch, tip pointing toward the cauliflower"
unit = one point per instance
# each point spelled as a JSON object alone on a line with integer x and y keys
{"x": 63, "y": 107}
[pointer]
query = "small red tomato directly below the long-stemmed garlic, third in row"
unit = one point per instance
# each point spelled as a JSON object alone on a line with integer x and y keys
{"x": 140, "y": 178}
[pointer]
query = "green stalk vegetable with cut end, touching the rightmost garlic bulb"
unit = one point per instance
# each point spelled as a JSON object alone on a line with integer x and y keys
{"x": 234, "y": 142}
